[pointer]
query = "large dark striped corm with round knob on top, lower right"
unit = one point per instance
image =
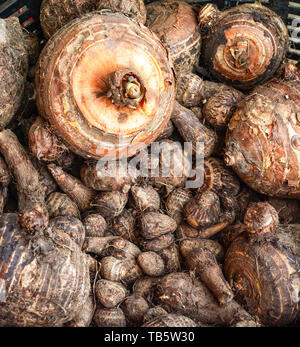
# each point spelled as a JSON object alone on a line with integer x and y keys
{"x": 262, "y": 264}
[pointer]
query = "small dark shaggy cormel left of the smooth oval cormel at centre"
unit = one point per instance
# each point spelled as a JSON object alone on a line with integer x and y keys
{"x": 124, "y": 226}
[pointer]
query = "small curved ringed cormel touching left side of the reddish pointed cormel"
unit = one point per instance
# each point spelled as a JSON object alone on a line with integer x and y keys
{"x": 175, "y": 203}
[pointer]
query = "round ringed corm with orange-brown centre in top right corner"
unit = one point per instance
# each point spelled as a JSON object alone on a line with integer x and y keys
{"x": 243, "y": 45}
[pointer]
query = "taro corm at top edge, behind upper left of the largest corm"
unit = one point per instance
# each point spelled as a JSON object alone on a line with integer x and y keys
{"x": 55, "y": 14}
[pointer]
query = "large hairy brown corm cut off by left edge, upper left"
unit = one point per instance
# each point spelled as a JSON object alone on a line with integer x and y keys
{"x": 14, "y": 66}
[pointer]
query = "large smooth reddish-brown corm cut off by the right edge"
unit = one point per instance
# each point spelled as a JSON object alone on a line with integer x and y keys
{"x": 262, "y": 141}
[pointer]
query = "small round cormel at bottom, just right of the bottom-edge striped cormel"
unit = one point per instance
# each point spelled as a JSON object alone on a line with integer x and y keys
{"x": 134, "y": 308}
